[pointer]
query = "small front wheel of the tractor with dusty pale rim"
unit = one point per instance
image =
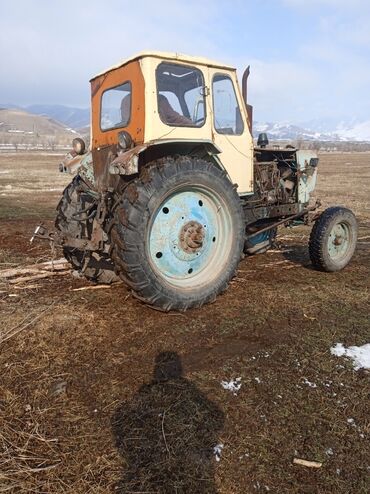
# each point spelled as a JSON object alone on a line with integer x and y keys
{"x": 333, "y": 239}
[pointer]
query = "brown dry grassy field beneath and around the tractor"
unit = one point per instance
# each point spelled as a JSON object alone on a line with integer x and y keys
{"x": 82, "y": 412}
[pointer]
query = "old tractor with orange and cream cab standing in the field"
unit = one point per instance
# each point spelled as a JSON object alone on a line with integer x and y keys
{"x": 172, "y": 192}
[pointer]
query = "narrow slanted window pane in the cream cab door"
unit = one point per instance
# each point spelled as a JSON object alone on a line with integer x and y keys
{"x": 226, "y": 111}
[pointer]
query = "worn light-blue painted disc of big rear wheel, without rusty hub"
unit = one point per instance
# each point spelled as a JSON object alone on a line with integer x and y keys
{"x": 165, "y": 247}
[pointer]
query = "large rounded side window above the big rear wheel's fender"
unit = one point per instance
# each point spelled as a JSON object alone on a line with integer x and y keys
{"x": 180, "y": 93}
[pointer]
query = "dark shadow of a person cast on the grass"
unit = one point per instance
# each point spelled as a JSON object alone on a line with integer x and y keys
{"x": 166, "y": 434}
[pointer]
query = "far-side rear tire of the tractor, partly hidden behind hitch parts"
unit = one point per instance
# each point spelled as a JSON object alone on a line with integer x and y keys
{"x": 75, "y": 204}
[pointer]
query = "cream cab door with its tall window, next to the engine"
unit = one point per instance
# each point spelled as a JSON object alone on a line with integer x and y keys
{"x": 230, "y": 129}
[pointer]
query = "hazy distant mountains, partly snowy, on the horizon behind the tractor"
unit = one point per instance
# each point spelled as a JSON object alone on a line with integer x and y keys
{"x": 314, "y": 130}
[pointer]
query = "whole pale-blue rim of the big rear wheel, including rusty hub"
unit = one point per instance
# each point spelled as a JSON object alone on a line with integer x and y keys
{"x": 190, "y": 237}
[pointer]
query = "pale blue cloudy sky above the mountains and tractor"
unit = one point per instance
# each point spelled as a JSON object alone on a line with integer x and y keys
{"x": 309, "y": 58}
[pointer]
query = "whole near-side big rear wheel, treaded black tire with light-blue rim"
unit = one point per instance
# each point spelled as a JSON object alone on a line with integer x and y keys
{"x": 178, "y": 233}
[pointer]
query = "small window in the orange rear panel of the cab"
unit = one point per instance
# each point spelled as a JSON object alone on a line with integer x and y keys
{"x": 116, "y": 107}
